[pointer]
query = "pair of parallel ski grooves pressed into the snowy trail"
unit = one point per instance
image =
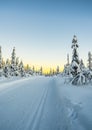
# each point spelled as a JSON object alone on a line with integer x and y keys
{"x": 37, "y": 113}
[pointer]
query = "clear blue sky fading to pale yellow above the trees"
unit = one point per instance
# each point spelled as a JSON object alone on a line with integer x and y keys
{"x": 42, "y": 30}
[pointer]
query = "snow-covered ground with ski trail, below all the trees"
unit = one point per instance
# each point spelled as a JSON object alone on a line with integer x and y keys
{"x": 44, "y": 103}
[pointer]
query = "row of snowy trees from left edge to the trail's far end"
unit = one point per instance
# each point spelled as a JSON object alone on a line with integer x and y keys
{"x": 15, "y": 67}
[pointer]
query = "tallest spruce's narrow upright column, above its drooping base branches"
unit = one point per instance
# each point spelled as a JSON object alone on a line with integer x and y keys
{"x": 75, "y": 58}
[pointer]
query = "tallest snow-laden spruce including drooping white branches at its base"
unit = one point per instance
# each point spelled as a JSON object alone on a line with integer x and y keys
{"x": 79, "y": 76}
